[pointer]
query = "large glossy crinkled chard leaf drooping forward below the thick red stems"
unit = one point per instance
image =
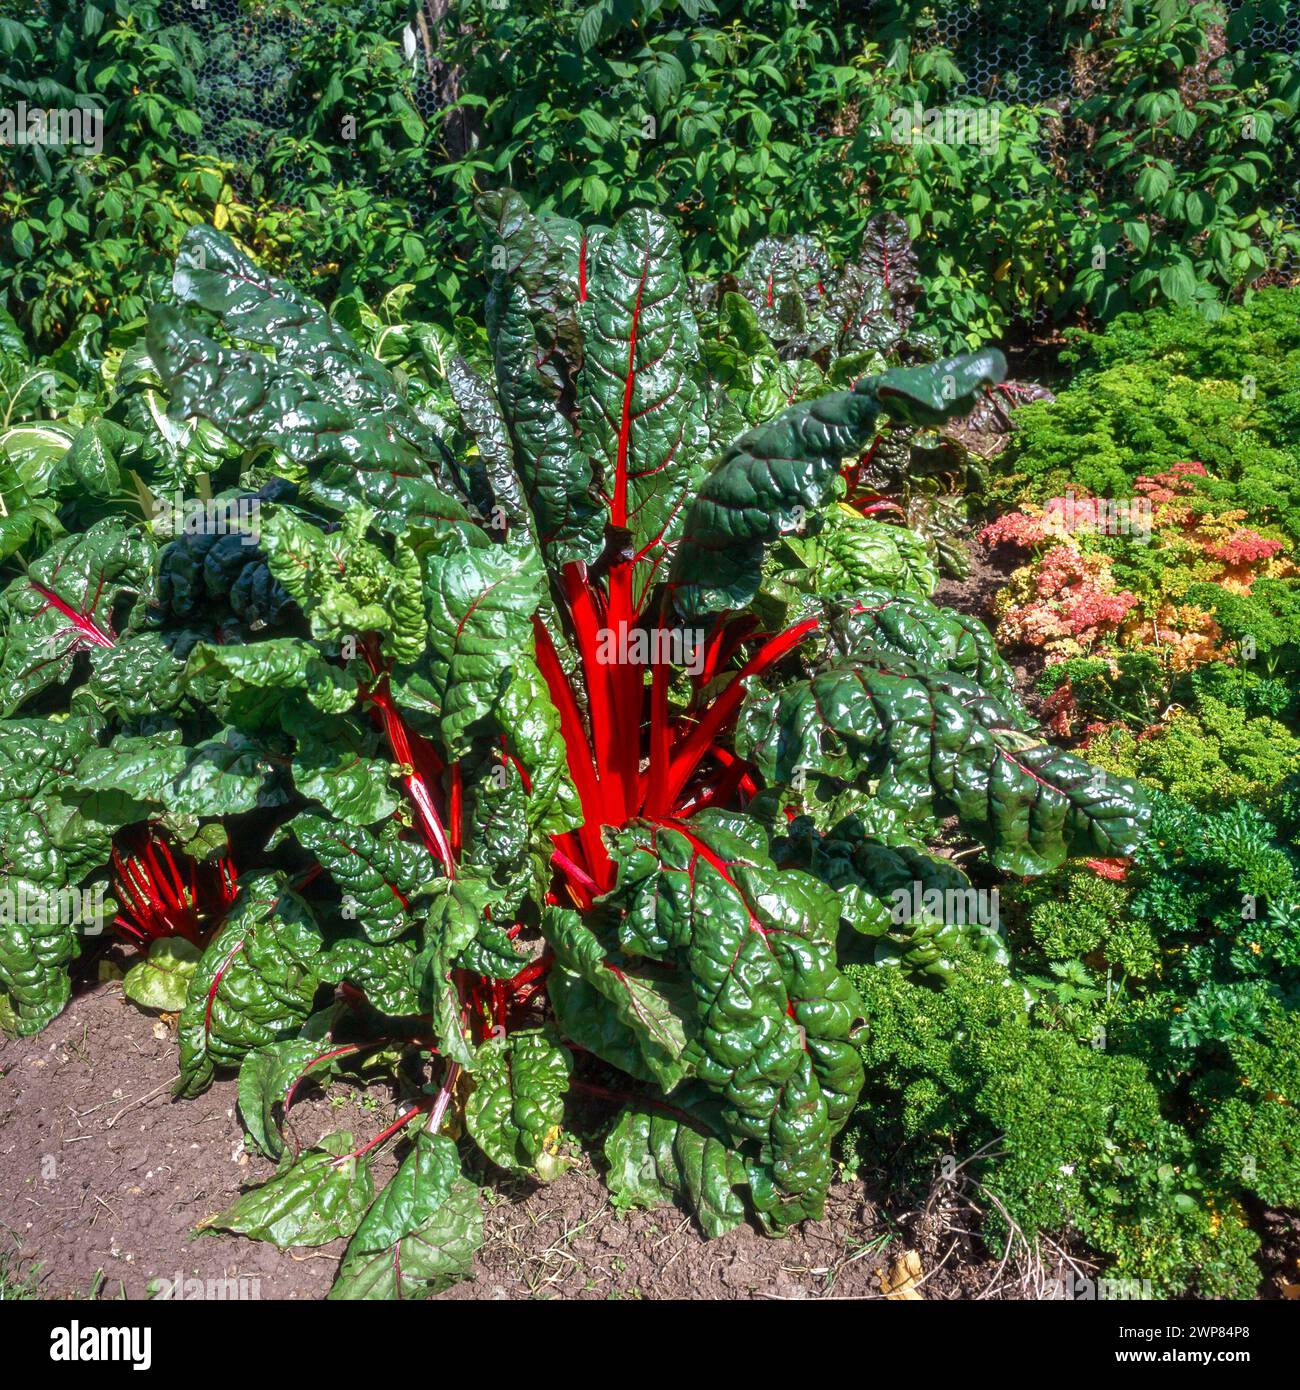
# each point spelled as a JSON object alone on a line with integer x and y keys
{"x": 775, "y": 1017}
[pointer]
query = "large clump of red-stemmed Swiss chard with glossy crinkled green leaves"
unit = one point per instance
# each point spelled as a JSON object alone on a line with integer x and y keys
{"x": 567, "y": 751}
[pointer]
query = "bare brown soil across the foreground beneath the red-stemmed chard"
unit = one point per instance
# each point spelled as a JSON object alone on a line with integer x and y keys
{"x": 104, "y": 1181}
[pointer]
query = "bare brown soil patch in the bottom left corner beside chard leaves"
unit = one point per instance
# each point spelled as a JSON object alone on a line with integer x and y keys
{"x": 104, "y": 1178}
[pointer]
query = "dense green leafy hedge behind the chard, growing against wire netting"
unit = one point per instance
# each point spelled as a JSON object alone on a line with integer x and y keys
{"x": 1145, "y": 155}
